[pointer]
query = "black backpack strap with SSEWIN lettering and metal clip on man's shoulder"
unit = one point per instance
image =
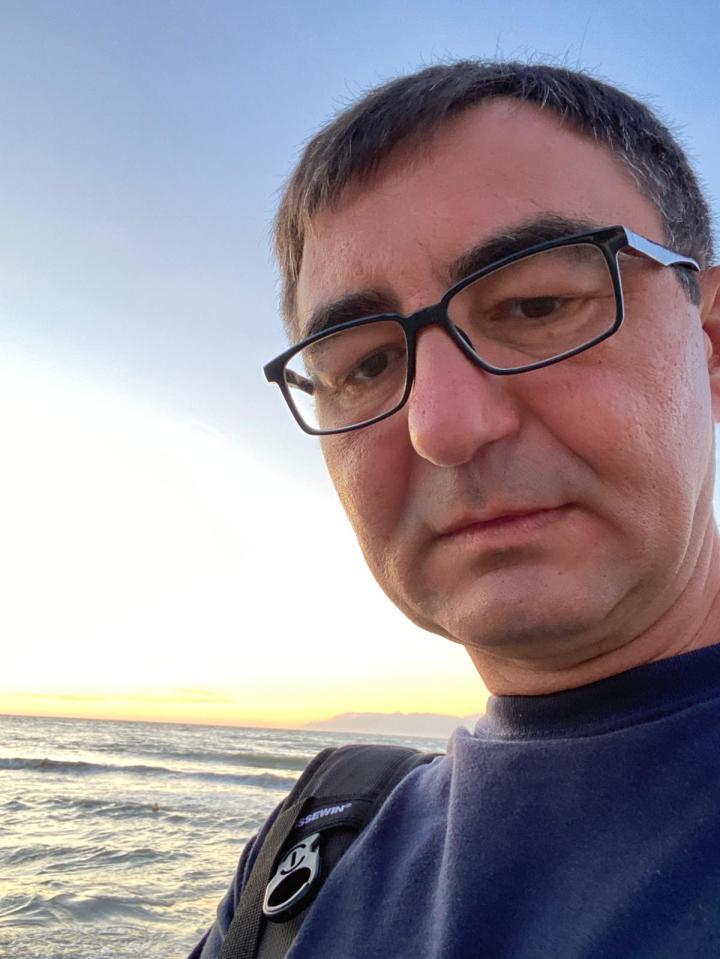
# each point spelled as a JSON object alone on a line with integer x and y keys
{"x": 337, "y": 795}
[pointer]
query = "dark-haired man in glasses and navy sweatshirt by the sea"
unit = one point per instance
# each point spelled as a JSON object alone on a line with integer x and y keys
{"x": 528, "y": 463}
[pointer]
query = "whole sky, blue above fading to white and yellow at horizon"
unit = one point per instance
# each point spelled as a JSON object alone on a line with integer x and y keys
{"x": 171, "y": 548}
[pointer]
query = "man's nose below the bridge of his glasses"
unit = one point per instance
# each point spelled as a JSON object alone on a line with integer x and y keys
{"x": 455, "y": 408}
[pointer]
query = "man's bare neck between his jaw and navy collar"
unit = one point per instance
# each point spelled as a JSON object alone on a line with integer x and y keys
{"x": 691, "y": 622}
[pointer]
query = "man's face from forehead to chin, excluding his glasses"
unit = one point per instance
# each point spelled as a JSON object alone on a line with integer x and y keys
{"x": 608, "y": 455}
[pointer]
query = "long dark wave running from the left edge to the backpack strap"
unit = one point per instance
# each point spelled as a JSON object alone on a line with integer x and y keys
{"x": 79, "y": 768}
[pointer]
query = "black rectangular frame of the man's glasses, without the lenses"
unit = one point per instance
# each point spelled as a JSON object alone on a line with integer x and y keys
{"x": 609, "y": 240}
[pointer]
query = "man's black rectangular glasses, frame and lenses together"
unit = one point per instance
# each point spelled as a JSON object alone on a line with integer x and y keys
{"x": 534, "y": 308}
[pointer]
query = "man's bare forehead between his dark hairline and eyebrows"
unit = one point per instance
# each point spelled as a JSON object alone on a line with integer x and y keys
{"x": 488, "y": 170}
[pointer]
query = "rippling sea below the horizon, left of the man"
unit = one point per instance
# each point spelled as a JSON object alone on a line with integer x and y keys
{"x": 118, "y": 839}
